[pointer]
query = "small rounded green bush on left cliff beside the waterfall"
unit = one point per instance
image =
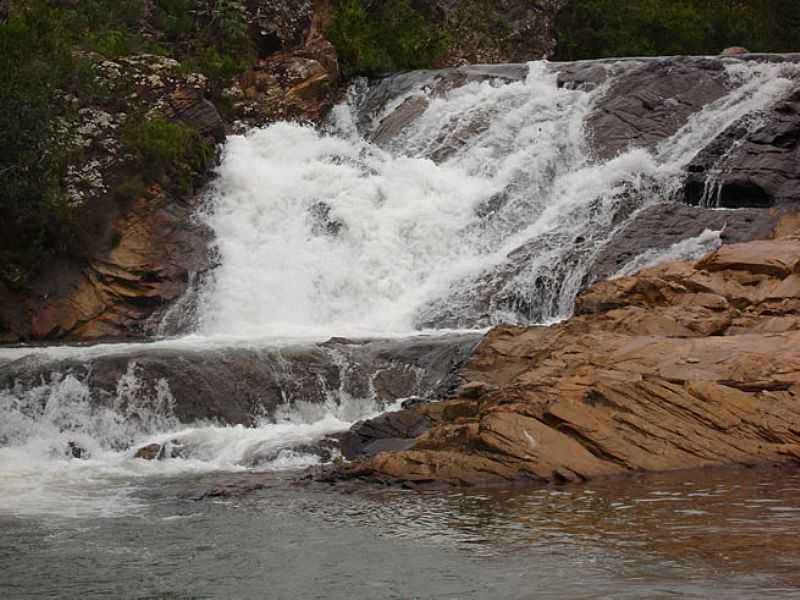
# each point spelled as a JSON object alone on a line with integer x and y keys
{"x": 169, "y": 153}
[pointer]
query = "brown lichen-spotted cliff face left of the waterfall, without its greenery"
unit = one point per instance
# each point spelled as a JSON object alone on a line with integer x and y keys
{"x": 145, "y": 248}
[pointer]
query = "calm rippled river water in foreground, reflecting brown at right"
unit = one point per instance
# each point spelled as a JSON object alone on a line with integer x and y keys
{"x": 721, "y": 535}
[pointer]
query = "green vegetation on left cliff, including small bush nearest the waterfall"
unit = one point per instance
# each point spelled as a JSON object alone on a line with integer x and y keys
{"x": 48, "y": 57}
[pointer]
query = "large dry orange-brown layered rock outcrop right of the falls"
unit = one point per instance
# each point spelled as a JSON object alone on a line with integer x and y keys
{"x": 680, "y": 366}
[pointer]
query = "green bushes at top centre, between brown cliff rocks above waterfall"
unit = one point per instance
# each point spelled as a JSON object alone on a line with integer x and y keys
{"x": 373, "y": 37}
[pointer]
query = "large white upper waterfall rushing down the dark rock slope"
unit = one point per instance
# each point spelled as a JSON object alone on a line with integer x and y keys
{"x": 486, "y": 206}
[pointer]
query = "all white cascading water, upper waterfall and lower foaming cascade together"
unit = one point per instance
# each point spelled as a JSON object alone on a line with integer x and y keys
{"x": 486, "y": 205}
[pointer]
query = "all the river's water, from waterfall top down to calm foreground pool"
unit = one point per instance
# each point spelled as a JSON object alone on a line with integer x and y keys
{"x": 323, "y": 233}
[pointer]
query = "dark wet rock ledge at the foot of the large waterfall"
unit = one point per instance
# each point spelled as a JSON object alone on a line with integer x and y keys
{"x": 239, "y": 386}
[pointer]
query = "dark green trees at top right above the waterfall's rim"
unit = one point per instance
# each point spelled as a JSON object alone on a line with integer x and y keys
{"x": 603, "y": 28}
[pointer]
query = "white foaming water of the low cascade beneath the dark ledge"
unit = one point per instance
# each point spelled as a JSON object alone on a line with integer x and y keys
{"x": 41, "y": 425}
